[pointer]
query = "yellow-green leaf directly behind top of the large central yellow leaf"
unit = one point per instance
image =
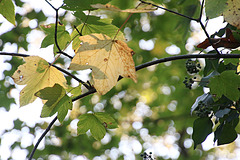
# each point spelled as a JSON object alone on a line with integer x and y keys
{"x": 104, "y": 26}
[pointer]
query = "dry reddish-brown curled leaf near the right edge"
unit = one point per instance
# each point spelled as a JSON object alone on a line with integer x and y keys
{"x": 228, "y": 42}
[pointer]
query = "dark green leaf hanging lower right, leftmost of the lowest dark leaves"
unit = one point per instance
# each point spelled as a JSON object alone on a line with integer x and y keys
{"x": 202, "y": 127}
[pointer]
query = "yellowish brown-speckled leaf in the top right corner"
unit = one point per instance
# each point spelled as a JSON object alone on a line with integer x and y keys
{"x": 232, "y": 13}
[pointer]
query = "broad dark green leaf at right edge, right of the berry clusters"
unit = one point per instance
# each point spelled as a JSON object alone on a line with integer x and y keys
{"x": 227, "y": 84}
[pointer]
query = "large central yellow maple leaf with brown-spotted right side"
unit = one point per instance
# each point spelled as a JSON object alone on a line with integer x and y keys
{"x": 107, "y": 58}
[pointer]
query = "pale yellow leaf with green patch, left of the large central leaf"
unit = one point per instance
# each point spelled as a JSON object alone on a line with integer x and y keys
{"x": 36, "y": 74}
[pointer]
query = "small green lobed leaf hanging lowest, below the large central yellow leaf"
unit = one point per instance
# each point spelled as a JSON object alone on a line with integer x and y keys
{"x": 97, "y": 123}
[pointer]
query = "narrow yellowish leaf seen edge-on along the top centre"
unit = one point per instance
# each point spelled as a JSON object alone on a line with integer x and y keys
{"x": 142, "y": 8}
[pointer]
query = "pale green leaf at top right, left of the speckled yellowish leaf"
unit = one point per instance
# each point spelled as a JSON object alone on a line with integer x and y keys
{"x": 215, "y": 8}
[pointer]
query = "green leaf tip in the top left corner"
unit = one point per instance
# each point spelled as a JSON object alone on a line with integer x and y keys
{"x": 7, "y": 10}
